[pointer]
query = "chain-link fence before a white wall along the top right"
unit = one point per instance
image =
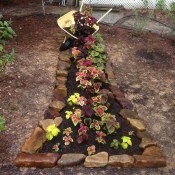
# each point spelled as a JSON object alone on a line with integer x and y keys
{"x": 132, "y": 4}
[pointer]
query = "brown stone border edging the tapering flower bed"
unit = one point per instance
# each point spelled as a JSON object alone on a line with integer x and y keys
{"x": 150, "y": 158}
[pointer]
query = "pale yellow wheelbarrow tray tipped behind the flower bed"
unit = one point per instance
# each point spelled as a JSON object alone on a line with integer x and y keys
{"x": 63, "y": 22}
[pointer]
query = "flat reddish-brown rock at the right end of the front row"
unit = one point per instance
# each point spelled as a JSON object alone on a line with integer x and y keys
{"x": 143, "y": 161}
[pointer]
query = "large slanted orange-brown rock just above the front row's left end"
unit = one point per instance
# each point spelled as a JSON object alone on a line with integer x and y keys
{"x": 35, "y": 141}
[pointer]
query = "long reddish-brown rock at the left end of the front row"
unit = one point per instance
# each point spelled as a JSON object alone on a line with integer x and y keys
{"x": 39, "y": 160}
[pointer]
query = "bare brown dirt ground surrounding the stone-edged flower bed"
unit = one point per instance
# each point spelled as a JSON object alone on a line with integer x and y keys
{"x": 144, "y": 68}
